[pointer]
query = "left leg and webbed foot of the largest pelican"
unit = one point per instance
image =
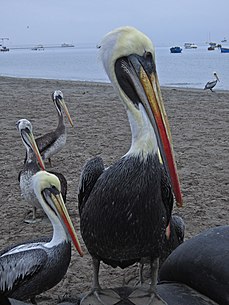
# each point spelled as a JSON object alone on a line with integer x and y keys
{"x": 97, "y": 296}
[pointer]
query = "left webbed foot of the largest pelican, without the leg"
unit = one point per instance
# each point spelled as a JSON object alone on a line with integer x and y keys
{"x": 101, "y": 297}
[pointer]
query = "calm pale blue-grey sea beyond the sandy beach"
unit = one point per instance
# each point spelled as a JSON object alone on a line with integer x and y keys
{"x": 192, "y": 68}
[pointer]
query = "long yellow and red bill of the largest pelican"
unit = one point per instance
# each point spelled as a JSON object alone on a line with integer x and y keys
{"x": 148, "y": 88}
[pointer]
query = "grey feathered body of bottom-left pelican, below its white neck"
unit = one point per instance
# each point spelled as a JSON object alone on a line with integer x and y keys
{"x": 30, "y": 272}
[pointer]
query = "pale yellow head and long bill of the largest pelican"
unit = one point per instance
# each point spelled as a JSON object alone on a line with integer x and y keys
{"x": 128, "y": 57}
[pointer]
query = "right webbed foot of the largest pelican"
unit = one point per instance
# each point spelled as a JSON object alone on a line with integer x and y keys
{"x": 145, "y": 295}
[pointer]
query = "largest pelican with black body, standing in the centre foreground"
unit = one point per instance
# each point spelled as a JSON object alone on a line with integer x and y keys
{"x": 125, "y": 209}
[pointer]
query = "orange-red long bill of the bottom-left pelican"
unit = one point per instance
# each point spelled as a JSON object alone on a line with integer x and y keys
{"x": 66, "y": 220}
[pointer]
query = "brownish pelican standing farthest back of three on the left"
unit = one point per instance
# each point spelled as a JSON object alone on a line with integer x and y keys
{"x": 52, "y": 142}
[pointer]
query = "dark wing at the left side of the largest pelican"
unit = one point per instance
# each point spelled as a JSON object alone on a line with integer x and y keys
{"x": 90, "y": 174}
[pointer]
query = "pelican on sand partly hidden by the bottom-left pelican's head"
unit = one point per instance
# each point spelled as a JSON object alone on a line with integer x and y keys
{"x": 32, "y": 165}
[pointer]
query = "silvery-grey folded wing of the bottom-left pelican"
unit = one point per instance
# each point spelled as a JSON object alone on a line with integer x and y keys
{"x": 17, "y": 268}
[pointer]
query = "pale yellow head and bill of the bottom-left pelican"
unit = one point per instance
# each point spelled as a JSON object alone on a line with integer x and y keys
{"x": 48, "y": 191}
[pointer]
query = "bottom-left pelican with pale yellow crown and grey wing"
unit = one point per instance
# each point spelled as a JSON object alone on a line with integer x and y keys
{"x": 33, "y": 267}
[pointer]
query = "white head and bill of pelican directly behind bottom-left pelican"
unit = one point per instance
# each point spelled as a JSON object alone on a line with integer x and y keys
{"x": 25, "y": 128}
